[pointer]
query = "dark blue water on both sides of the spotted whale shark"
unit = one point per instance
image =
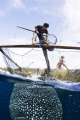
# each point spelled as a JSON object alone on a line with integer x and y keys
{"x": 70, "y": 102}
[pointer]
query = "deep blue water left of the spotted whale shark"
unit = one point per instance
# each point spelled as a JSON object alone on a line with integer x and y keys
{"x": 6, "y": 89}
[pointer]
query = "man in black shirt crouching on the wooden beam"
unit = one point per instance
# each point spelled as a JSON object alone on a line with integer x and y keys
{"x": 39, "y": 30}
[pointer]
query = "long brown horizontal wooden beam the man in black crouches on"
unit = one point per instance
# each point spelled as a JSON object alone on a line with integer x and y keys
{"x": 37, "y": 46}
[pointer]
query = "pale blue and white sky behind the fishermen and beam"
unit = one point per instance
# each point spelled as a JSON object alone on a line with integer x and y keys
{"x": 64, "y": 20}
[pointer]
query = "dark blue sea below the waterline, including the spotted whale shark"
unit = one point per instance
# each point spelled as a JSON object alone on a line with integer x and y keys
{"x": 60, "y": 104}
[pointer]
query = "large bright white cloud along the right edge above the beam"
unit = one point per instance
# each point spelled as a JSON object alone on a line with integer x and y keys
{"x": 71, "y": 20}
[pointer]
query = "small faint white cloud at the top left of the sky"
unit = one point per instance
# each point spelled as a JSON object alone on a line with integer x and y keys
{"x": 17, "y": 4}
